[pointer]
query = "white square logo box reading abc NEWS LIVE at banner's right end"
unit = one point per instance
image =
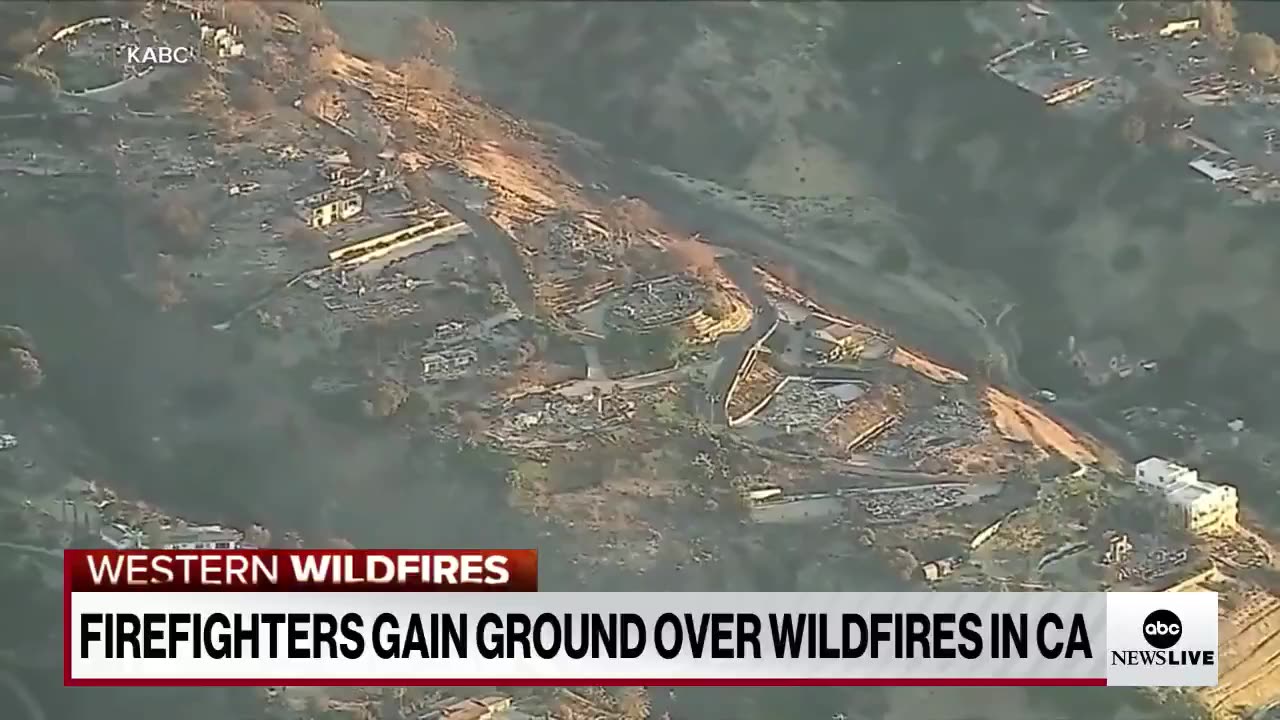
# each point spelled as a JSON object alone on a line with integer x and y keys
{"x": 1164, "y": 650}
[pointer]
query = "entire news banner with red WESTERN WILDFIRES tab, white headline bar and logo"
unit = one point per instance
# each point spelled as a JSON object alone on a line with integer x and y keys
{"x": 474, "y": 618}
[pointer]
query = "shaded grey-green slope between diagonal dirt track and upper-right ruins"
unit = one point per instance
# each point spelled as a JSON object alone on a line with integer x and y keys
{"x": 925, "y": 152}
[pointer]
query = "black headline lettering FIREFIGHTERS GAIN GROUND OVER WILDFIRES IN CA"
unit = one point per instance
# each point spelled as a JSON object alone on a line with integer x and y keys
{"x": 582, "y": 636}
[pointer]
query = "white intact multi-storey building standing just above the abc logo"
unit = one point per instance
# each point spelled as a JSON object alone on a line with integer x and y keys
{"x": 1199, "y": 507}
